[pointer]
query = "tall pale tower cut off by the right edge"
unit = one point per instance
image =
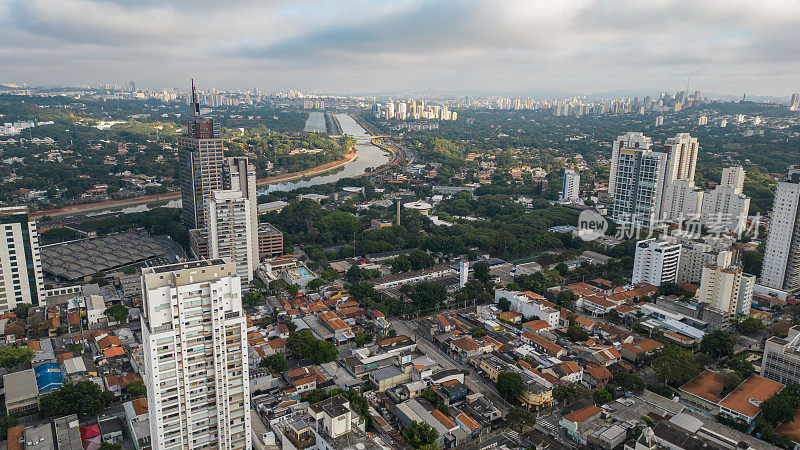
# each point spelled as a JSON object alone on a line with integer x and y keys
{"x": 781, "y": 267}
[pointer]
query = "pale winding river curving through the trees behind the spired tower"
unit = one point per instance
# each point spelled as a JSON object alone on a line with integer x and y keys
{"x": 368, "y": 156}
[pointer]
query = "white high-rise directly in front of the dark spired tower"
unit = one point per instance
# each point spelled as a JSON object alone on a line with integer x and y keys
{"x": 230, "y": 232}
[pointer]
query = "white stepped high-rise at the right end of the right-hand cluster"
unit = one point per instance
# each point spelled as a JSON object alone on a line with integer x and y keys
{"x": 725, "y": 208}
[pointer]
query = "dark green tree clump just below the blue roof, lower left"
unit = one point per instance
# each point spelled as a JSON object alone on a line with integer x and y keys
{"x": 82, "y": 398}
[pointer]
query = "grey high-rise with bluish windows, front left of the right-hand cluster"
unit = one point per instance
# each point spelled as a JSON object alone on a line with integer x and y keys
{"x": 638, "y": 180}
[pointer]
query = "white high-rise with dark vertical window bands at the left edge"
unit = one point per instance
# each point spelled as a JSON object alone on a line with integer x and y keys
{"x": 21, "y": 279}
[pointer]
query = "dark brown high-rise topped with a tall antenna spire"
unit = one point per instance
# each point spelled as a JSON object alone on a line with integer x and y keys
{"x": 200, "y": 161}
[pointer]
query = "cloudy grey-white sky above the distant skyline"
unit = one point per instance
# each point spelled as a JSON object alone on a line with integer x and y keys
{"x": 458, "y": 46}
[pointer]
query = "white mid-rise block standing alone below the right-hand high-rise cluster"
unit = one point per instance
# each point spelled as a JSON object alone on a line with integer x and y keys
{"x": 656, "y": 262}
